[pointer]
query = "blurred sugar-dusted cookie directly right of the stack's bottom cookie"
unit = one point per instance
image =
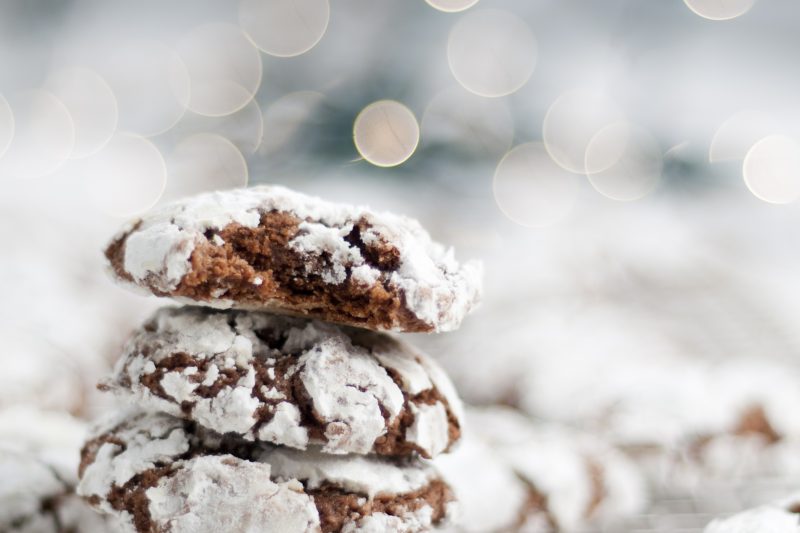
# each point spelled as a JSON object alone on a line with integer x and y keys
{"x": 515, "y": 475}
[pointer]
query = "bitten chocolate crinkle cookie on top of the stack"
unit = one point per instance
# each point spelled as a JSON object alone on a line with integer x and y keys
{"x": 271, "y": 248}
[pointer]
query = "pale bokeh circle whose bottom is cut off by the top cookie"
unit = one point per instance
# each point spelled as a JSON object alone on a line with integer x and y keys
{"x": 204, "y": 162}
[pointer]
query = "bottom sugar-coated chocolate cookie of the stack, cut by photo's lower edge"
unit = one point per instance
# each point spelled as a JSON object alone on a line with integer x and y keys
{"x": 161, "y": 473}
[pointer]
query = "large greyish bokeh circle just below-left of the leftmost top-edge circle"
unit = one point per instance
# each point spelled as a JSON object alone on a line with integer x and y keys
{"x": 224, "y": 68}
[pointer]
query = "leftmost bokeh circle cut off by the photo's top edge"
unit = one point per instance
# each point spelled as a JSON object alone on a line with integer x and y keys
{"x": 284, "y": 28}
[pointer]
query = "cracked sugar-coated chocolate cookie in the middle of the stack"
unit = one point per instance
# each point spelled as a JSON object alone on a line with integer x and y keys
{"x": 290, "y": 381}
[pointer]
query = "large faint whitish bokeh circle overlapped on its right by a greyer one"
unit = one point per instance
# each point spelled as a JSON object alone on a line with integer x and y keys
{"x": 151, "y": 86}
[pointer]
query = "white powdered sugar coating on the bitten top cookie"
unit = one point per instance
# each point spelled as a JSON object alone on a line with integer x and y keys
{"x": 436, "y": 290}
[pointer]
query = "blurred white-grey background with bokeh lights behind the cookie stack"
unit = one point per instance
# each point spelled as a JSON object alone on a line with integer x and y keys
{"x": 627, "y": 170}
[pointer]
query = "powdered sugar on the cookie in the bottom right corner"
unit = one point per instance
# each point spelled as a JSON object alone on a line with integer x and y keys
{"x": 779, "y": 517}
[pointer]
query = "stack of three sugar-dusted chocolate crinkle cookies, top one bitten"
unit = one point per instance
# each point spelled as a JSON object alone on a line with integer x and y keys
{"x": 273, "y": 402}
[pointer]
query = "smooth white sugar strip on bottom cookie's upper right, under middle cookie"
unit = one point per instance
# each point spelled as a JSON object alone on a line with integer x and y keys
{"x": 361, "y": 474}
